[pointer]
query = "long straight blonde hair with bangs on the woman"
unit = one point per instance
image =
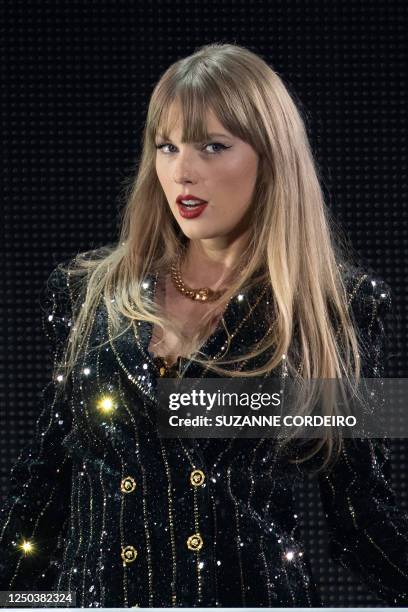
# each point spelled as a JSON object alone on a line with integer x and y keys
{"x": 292, "y": 243}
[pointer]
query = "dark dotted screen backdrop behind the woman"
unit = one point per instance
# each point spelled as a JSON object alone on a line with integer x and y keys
{"x": 76, "y": 80}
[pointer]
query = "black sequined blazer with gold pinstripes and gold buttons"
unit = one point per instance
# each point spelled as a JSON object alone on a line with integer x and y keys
{"x": 123, "y": 518}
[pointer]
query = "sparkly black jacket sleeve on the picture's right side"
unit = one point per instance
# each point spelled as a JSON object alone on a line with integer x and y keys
{"x": 368, "y": 532}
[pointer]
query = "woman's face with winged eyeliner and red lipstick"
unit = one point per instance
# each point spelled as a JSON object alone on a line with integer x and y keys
{"x": 221, "y": 171}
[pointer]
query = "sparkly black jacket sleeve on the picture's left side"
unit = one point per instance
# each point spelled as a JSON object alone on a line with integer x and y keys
{"x": 34, "y": 514}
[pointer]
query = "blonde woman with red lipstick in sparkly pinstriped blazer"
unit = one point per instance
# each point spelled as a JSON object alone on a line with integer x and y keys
{"x": 225, "y": 266}
